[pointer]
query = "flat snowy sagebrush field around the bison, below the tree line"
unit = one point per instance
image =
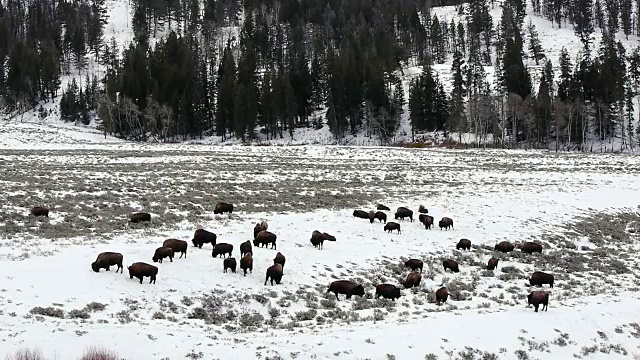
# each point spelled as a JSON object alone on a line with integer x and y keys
{"x": 582, "y": 208}
